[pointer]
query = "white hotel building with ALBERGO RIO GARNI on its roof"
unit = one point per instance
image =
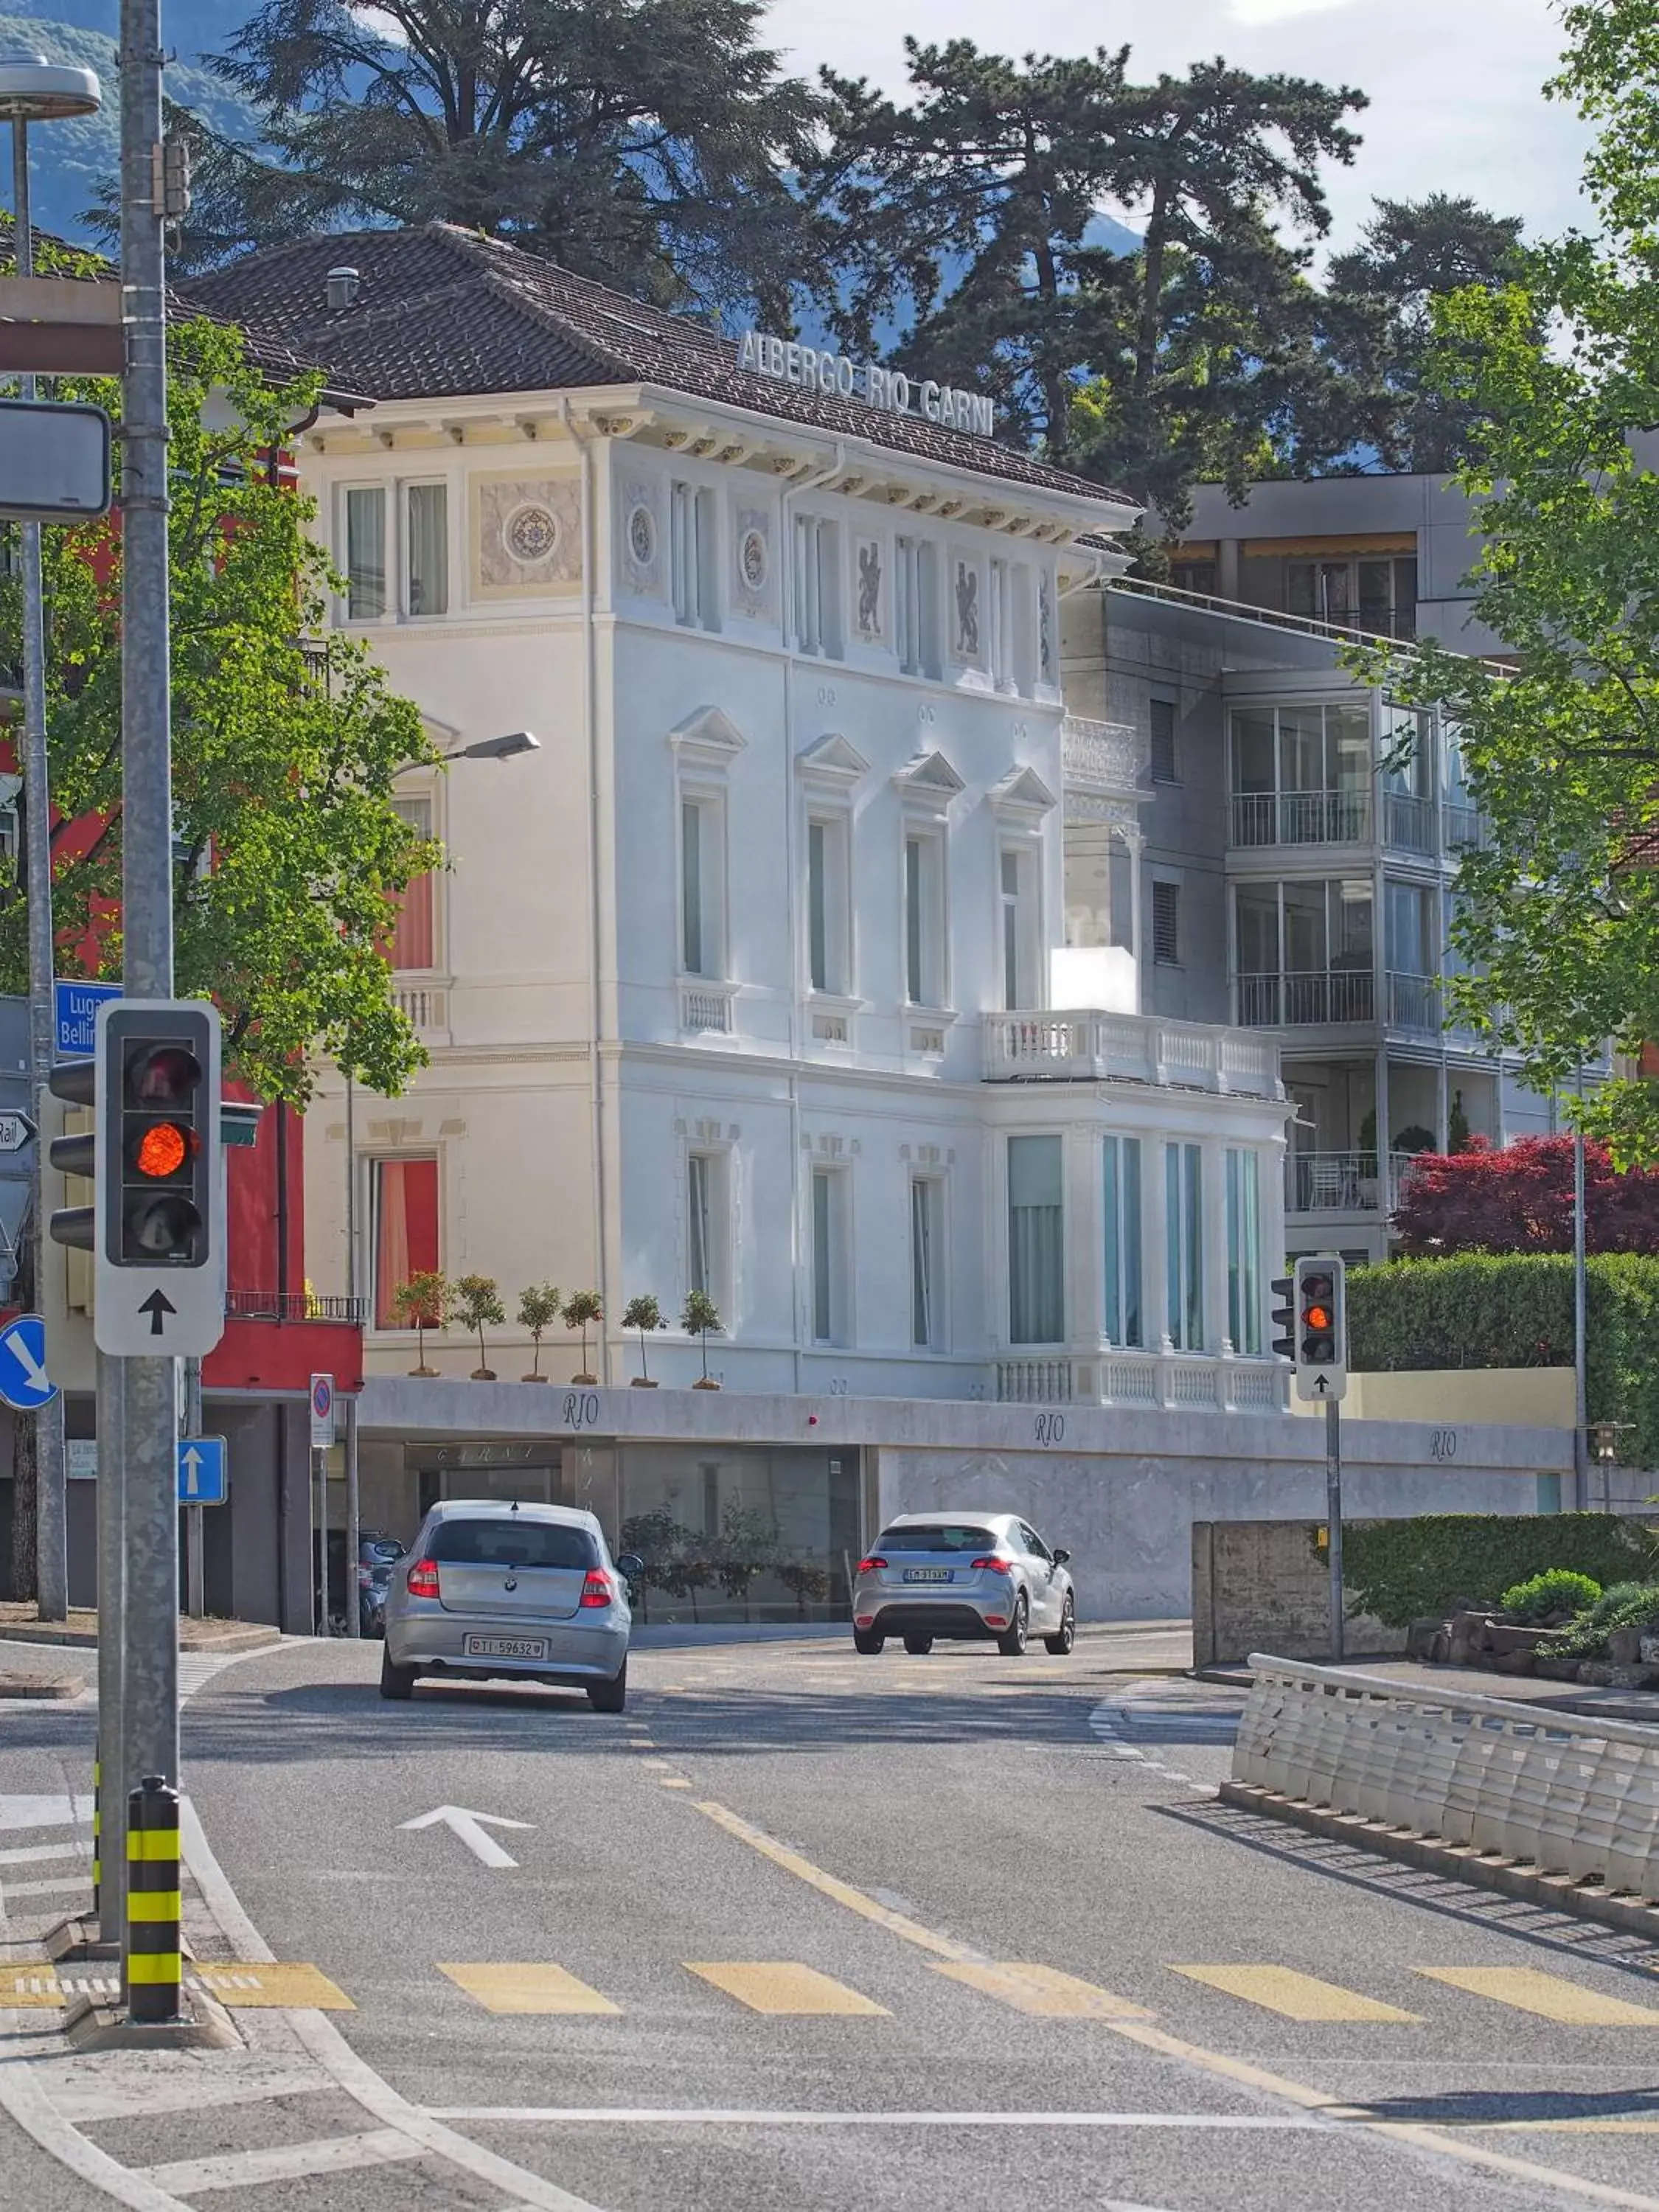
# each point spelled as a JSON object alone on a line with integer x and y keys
{"x": 755, "y": 974}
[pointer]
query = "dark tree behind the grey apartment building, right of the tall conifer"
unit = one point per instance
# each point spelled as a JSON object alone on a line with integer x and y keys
{"x": 1377, "y": 324}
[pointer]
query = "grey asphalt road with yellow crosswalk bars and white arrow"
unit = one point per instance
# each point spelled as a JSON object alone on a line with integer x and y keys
{"x": 820, "y": 1932}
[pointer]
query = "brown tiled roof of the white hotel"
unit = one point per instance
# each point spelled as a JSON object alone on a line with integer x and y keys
{"x": 446, "y": 313}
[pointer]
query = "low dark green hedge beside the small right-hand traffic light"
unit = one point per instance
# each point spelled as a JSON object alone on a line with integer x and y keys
{"x": 1415, "y": 1567}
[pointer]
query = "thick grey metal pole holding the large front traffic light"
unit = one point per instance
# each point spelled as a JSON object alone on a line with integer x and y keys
{"x": 152, "y": 1662}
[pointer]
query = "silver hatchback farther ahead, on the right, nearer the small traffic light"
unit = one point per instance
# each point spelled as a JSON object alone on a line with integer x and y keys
{"x": 963, "y": 1576}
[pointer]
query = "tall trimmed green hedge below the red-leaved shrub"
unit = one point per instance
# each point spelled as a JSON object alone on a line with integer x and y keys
{"x": 1516, "y": 1311}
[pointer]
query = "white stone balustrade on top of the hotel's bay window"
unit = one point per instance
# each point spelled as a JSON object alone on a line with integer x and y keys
{"x": 1096, "y": 1047}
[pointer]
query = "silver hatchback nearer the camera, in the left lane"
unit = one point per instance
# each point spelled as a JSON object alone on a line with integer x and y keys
{"x": 519, "y": 1592}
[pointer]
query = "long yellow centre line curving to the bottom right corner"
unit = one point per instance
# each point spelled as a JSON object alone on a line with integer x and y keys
{"x": 1173, "y": 2047}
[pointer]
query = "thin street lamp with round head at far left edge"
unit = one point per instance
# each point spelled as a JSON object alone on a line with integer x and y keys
{"x": 41, "y": 92}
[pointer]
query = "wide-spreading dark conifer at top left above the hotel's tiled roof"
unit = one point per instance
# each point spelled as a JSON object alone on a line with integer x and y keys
{"x": 645, "y": 143}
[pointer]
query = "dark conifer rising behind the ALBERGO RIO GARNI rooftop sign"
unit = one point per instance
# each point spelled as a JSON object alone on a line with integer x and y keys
{"x": 970, "y": 211}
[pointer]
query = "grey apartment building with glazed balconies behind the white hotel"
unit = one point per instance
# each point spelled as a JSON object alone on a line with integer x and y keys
{"x": 1293, "y": 870}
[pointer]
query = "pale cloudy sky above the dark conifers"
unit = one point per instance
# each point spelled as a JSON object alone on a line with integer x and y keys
{"x": 1454, "y": 85}
